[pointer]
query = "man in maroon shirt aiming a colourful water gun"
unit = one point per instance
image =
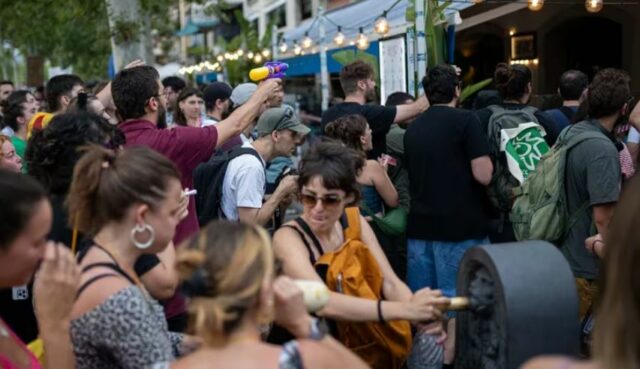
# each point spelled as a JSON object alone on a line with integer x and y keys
{"x": 137, "y": 94}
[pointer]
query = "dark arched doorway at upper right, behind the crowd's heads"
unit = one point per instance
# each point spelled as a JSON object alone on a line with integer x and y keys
{"x": 587, "y": 44}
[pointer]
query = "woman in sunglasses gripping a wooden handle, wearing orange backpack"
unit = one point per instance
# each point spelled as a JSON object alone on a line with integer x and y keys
{"x": 327, "y": 181}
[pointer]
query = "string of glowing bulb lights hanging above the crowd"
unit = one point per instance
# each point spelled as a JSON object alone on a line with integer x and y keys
{"x": 380, "y": 26}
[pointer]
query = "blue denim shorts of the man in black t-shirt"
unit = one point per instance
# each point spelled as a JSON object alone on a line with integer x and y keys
{"x": 434, "y": 264}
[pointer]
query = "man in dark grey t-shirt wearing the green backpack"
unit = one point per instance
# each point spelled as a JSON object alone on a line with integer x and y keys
{"x": 593, "y": 177}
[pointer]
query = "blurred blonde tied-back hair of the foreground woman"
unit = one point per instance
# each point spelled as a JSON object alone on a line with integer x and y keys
{"x": 226, "y": 265}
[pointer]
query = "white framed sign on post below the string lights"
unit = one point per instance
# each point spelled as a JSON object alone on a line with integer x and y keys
{"x": 393, "y": 67}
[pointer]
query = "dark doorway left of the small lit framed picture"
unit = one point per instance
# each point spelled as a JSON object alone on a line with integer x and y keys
{"x": 477, "y": 53}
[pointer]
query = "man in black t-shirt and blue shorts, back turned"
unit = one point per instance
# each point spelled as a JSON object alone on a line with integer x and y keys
{"x": 447, "y": 157}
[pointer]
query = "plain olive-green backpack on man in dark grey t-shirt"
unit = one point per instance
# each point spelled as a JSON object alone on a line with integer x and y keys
{"x": 540, "y": 209}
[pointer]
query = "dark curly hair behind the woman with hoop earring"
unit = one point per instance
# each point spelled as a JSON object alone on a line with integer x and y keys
{"x": 53, "y": 152}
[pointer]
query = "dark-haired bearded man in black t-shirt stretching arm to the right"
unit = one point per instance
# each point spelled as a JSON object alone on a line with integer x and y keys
{"x": 359, "y": 86}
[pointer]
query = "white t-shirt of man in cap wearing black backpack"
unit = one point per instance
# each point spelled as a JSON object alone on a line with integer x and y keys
{"x": 243, "y": 185}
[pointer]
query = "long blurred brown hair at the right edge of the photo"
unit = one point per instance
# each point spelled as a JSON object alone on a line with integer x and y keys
{"x": 617, "y": 332}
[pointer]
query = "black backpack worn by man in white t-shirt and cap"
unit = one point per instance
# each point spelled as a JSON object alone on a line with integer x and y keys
{"x": 208, "y": 179}
